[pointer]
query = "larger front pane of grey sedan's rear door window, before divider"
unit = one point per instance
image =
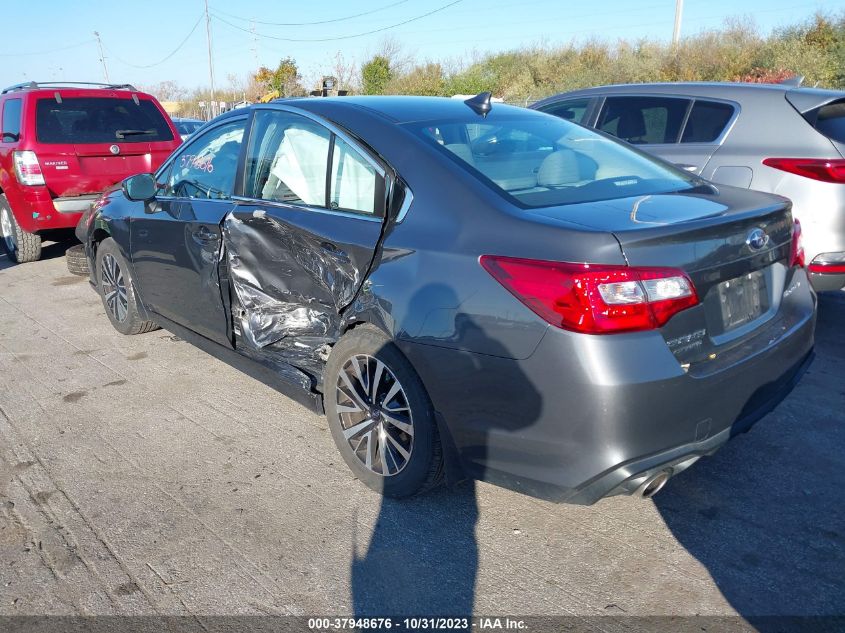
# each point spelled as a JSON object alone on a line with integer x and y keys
{"x": 287, "y": 159}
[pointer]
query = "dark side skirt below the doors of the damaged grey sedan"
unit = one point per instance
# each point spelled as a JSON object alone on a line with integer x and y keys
{"x": 288, "y": 381}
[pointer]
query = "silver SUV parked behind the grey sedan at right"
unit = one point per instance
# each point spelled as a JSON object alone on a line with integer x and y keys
{"x": 778, "y": 138}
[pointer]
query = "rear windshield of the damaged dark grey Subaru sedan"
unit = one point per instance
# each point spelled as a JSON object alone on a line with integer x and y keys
{"x": 545, "y": 161}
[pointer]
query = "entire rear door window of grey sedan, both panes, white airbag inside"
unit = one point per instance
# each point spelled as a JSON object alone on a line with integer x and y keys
{"x": 294, "y": 160}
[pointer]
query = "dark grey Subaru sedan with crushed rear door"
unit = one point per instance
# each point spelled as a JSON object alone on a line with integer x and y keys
{"x": 485, "y": 291}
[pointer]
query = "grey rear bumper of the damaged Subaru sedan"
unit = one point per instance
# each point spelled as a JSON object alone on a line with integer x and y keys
{"x": 586, "y": 417}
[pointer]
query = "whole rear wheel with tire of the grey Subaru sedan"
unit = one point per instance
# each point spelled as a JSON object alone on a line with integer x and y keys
{"x": 380, "y": 416}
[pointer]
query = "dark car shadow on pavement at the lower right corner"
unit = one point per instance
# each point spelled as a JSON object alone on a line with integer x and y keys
{"x": 766, "y": 514}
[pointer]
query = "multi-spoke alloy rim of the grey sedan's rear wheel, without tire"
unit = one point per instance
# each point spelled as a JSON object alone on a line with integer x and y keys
{"x": 375, "y": 415}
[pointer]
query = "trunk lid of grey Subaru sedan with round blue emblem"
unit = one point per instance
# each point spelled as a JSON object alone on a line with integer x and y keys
{"x": 734, "y": 245}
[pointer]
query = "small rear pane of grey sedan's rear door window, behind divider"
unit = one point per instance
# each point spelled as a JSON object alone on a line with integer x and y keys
{"x": 353, "y": 181}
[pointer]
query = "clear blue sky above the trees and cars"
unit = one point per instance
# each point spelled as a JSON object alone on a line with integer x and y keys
{"x": 61, "y": 46}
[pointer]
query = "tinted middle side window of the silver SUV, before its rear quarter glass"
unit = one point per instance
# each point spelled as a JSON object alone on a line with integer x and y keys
{"x": 643, "y": 120}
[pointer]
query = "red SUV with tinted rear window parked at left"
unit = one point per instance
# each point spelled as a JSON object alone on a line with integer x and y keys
{"x": 63, "y": 144}
